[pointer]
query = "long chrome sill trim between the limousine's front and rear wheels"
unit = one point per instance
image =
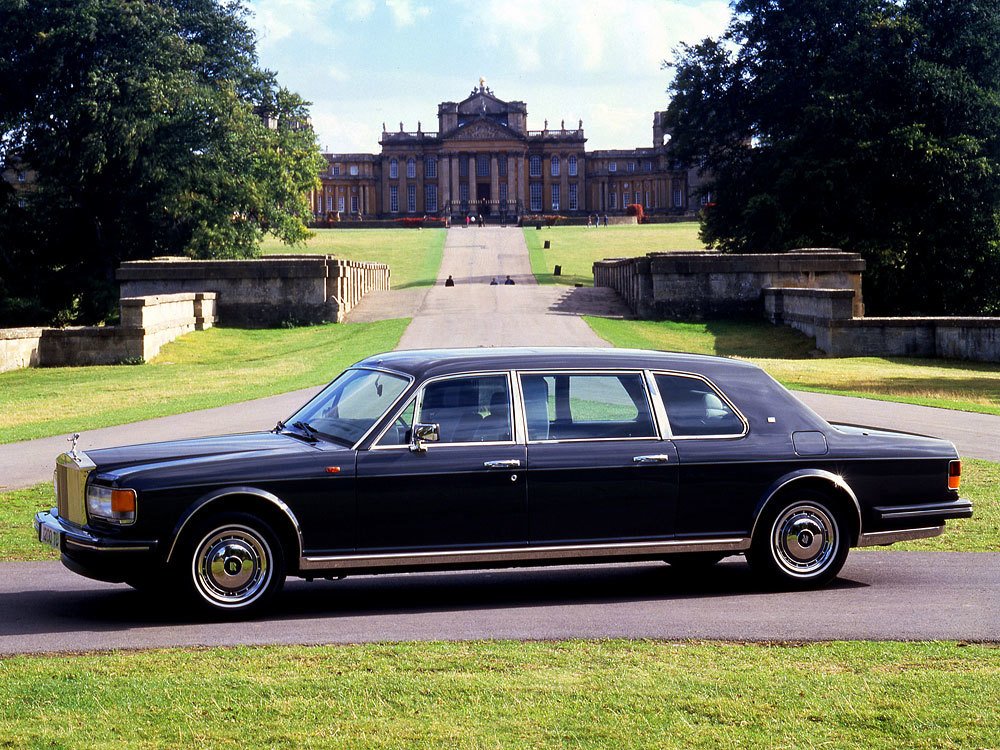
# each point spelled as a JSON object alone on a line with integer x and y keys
{"x": 523, "y": 554}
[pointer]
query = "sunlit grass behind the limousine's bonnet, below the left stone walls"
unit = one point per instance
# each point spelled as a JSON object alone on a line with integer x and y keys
{"x": 197, "y": 371}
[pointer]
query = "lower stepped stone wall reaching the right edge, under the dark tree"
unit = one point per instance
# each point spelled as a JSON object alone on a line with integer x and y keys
{"x": 826, "y": 315}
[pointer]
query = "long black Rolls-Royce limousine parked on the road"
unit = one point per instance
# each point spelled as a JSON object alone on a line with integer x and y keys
{"x": 420, "y": 460}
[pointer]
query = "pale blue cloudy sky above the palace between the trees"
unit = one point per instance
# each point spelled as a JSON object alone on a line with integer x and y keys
{"x": 362, "y": 62}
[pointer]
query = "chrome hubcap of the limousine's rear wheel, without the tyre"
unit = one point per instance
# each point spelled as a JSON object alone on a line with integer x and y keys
{"x": 804, "y": 539}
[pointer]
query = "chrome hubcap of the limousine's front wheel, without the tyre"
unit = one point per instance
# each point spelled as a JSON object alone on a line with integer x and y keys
{"x": 232, "y": 566}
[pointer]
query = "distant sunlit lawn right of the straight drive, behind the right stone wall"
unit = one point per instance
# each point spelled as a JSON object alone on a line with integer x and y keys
{"x": 576, "y": 248}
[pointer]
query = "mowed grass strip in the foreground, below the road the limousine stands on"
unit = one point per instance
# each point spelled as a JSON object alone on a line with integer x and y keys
{"x": 590, "y": 694}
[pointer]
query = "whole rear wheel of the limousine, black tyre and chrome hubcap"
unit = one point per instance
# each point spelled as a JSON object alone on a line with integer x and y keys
{"x": 799, "y": 544}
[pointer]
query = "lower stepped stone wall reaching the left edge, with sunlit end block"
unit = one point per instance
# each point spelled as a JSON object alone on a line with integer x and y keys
{"x": 147, "y": 323}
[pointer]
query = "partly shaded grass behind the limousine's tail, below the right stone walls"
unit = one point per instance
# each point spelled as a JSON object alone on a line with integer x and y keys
{"x": 789, "y": 357}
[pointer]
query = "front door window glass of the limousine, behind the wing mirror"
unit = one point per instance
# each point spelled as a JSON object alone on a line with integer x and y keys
{"x": 470, "y": 409}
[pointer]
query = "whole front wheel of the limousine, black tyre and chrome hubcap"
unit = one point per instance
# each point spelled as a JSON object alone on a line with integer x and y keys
{"x": 233, "y": 565}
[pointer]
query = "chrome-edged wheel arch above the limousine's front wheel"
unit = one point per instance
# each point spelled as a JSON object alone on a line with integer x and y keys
{"x": 266, "y": 505}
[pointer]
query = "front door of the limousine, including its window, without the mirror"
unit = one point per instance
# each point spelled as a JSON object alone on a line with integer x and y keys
{"x": 465, "y": 491}
